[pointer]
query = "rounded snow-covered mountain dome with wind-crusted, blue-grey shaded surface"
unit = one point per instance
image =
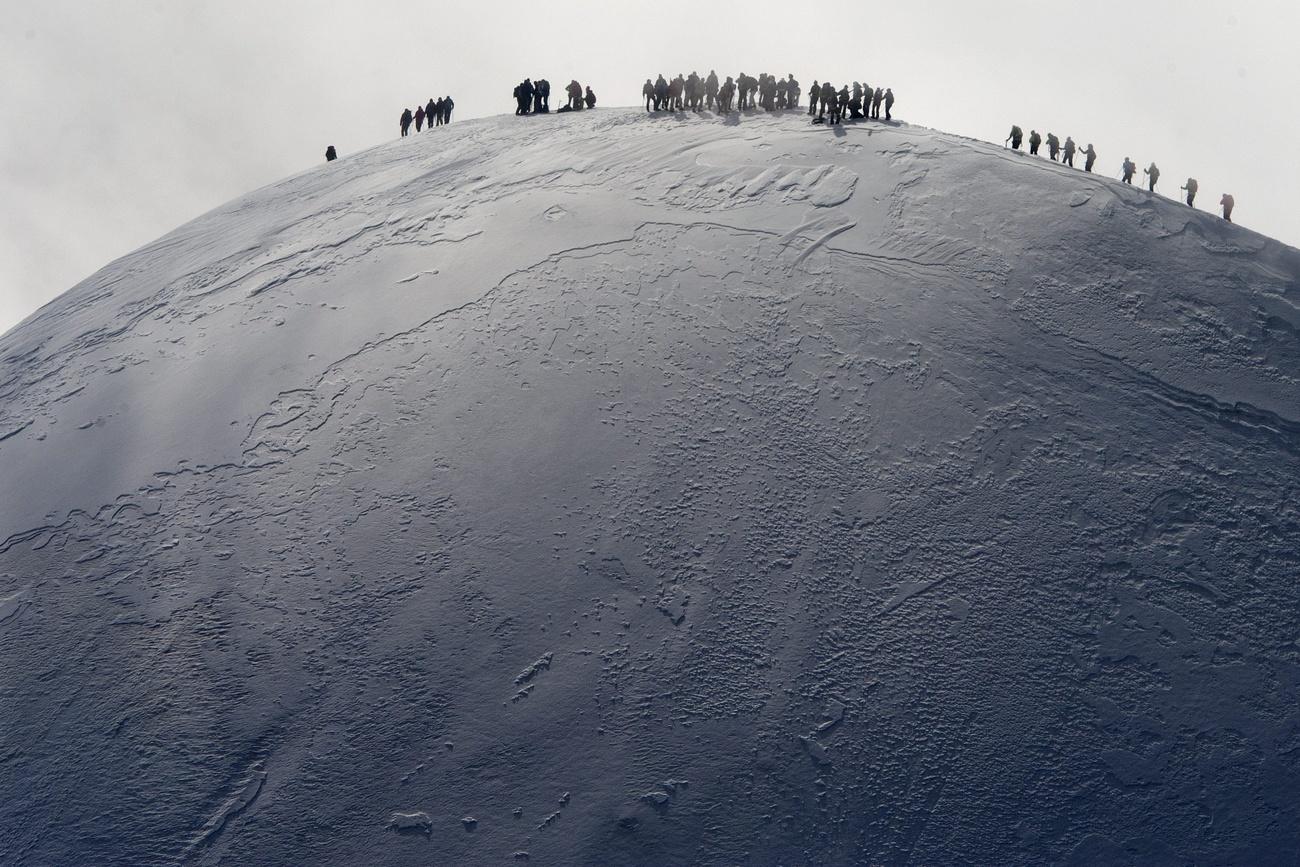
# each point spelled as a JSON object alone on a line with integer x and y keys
{"x": 636, "y": 491}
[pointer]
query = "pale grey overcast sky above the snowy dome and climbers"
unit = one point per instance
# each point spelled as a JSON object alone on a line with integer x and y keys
{"x": 124, "y": 119}
